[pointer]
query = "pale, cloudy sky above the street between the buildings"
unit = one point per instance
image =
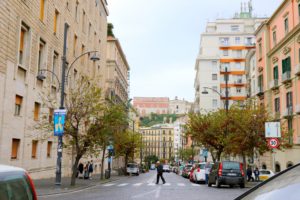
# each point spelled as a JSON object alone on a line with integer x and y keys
{"x": 161, "y": 40}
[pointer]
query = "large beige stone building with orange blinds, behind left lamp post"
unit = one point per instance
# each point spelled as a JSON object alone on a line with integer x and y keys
{"x": 32, "y": 34}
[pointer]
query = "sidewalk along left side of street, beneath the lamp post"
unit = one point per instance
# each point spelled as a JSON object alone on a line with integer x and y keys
{"x": 46, "y": 187}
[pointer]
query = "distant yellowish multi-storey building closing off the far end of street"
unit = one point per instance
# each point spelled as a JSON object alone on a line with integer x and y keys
{"x": 158, "y": 140}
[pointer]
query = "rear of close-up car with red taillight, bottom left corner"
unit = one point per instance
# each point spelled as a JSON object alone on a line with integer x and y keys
{"x": 15, "y": 183}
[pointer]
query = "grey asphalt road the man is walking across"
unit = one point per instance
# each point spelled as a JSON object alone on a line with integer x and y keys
{"x": 143, "y": 187}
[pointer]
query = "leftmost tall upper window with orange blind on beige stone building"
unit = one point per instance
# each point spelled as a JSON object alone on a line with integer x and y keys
{"x": 24, "y": 35}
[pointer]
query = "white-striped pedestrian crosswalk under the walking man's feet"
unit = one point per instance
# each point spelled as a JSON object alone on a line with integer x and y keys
{"x": 150, "y": 184}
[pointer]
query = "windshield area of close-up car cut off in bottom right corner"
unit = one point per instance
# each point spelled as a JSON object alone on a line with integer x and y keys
{"x": 284, "y": 186}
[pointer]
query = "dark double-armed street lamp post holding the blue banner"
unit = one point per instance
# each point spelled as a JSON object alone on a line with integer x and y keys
{"x": 62, "y": 95}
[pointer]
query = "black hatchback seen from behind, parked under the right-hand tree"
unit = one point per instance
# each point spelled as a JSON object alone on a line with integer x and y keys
{"x": 227, "y": 173}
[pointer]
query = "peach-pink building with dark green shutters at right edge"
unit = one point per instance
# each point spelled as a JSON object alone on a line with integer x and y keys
{"x": 278, "y": 78}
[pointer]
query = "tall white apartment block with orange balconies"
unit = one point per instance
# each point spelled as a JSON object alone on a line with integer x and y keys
{"x": 222, "y": 54}
